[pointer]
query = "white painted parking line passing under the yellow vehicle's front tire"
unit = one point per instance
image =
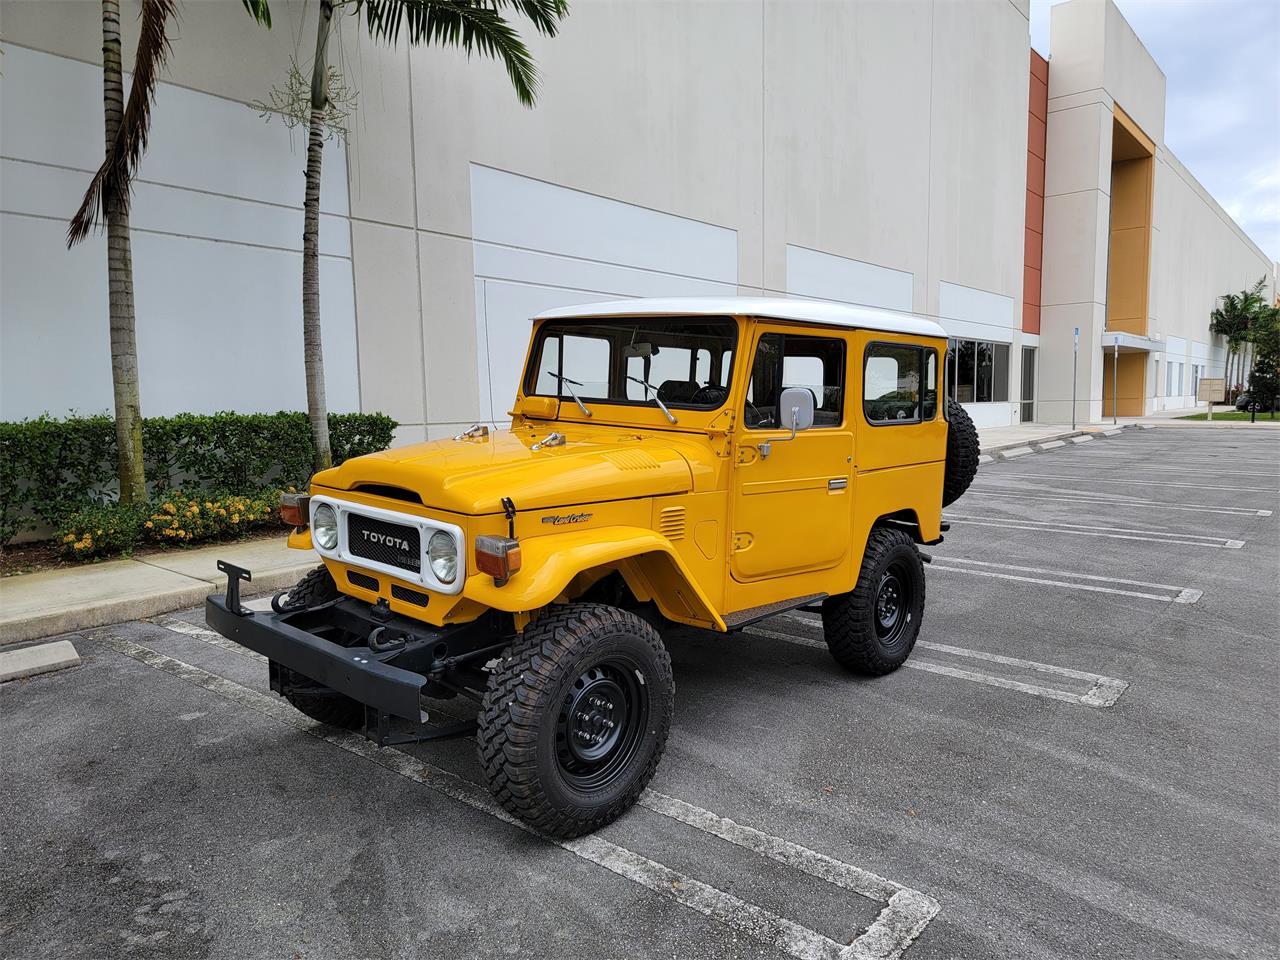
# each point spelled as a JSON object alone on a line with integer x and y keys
{"x": 906, "y": 915}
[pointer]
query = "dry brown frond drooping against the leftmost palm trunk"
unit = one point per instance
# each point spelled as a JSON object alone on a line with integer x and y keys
{"x": 115, "y": 179}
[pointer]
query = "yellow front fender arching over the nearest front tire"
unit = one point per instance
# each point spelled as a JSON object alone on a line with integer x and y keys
{"x": 551, "y": 563}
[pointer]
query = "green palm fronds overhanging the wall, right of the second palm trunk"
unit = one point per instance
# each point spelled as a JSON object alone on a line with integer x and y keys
{"x": 477, "y": 26}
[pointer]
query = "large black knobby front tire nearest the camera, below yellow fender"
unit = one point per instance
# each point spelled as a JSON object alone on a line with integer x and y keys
{"x": 522, "y": 738}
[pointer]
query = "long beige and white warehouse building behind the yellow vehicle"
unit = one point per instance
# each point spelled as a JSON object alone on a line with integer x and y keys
{"x": 916, "y": 157}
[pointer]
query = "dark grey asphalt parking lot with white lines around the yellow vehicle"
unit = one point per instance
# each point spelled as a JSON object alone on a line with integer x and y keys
{"x": 1081, "y": 760}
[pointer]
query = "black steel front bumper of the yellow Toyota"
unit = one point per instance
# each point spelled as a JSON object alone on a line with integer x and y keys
{"x": 292, "y": 641}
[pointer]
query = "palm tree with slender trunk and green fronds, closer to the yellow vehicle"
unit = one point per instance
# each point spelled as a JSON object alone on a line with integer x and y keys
{"x": 473, "y": 25}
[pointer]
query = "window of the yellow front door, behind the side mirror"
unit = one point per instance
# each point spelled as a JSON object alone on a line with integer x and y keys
{"x": 790, "y": 360}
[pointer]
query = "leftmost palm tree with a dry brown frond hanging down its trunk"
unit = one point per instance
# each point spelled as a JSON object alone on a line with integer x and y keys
{"x": 108, "y": 199}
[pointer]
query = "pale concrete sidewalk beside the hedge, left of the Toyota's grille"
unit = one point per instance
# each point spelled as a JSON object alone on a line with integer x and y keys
{"x": 97, "y": 595}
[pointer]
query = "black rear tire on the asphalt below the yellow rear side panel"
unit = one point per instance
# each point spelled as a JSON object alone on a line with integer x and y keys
{"x": 851, "y": 621}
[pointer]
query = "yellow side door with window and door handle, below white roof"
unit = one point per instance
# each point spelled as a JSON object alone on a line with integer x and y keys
{"x": 793, "y": 497}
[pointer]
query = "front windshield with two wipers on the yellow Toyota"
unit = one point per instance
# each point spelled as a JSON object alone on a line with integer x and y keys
{"x": 666, "y": 362}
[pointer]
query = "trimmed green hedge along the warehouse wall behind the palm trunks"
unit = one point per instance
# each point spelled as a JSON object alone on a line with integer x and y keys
{"x": 51, "y": 469}
